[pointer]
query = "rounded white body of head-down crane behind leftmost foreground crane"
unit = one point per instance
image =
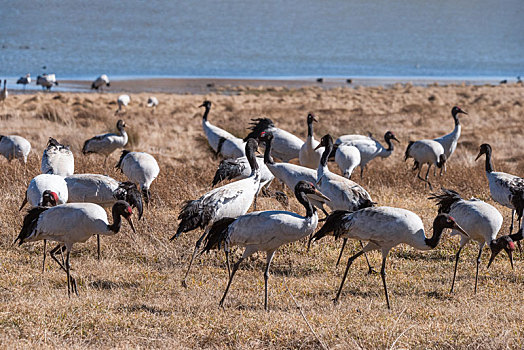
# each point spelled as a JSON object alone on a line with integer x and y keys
{"x": 44, "y": 182}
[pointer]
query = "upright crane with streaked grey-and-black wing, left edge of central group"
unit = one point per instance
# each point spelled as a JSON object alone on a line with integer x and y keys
{"x": 231, "y": 200}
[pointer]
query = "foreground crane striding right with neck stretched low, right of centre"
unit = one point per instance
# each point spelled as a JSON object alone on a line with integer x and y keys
{"x": 384, "y": 228}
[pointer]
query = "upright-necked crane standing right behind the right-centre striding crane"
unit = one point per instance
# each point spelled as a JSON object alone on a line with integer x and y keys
{"x": 344, "y": 193}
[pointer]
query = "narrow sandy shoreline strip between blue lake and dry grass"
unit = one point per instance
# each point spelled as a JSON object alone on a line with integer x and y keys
{"x": 224, "y": 85}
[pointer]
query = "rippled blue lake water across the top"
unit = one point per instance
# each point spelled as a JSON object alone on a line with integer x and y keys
{"x": 252, "y": 38}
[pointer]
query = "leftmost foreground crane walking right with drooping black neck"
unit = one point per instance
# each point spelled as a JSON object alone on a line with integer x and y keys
{"x": 72, "y": 223}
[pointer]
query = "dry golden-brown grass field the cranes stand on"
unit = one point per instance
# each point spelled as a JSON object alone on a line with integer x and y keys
{"x": 133, "y": 298}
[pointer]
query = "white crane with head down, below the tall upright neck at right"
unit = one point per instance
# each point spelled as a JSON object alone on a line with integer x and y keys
{"x": 428, "y": 152}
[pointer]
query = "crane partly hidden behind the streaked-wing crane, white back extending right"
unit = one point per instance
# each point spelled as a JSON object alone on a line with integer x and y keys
{"x": 288, "y": 173}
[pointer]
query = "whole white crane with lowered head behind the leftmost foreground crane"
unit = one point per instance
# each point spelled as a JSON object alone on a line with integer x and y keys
{"x": 46, "y": 190}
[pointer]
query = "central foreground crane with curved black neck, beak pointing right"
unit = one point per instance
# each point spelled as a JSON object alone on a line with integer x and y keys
{"x": 265, "y": 231}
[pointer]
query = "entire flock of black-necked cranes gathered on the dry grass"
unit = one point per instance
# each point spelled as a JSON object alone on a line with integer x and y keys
{"x": 68, "y": 208}
